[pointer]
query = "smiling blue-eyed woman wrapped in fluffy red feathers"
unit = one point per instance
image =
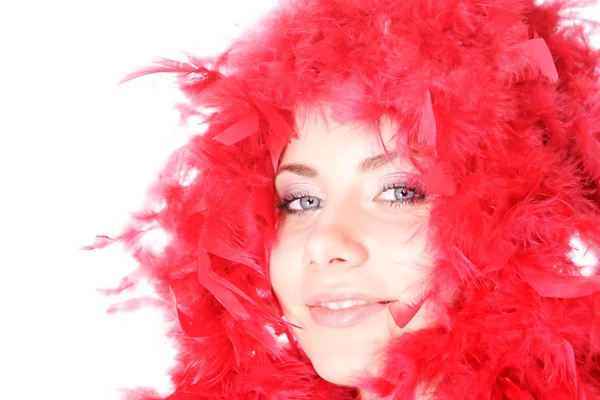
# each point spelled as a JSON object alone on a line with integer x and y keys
{"x": 386, "y": 201}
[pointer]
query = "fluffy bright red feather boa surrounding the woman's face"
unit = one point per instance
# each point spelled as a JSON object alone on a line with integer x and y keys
{"x": 500, "y": 101}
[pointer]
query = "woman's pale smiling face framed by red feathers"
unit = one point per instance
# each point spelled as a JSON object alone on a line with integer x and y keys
{"x": 351, "y": 238}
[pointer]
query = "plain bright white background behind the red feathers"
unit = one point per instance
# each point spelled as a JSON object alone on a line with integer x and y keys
{"x": 76, "y": 154}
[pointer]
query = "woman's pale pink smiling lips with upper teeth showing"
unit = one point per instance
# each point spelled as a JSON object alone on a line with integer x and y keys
{"x": 345, "y": 317}
